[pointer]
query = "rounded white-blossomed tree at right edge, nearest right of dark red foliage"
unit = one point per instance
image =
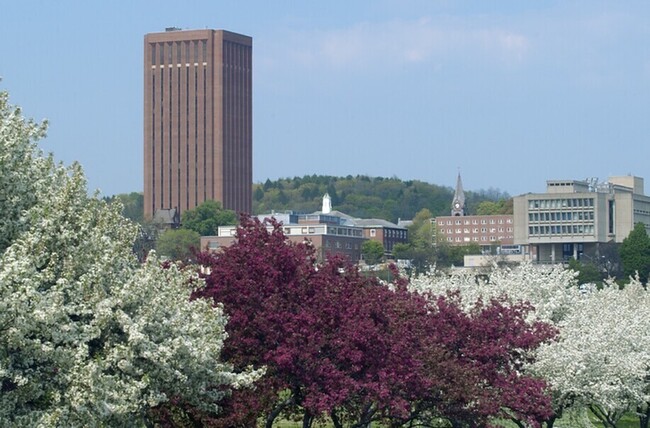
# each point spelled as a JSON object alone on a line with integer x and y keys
{"x": 602, "y": 357}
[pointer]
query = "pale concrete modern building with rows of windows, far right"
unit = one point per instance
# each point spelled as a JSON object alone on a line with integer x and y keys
{"x": 574, "y": 218}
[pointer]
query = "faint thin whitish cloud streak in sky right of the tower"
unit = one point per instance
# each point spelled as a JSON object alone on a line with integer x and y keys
{"x": 399, "y": 43}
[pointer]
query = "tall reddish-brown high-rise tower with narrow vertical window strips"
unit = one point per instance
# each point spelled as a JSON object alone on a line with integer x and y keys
{"x": 197, "y": 120}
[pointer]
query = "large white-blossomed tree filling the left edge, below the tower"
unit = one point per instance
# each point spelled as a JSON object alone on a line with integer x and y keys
{"x": 88, "y": 336}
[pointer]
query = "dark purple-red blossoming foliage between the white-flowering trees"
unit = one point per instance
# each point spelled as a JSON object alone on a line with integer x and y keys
{"x": 337, "y": 344}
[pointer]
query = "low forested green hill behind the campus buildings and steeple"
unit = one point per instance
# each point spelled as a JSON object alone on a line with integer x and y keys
{"x": 362, "y": 196}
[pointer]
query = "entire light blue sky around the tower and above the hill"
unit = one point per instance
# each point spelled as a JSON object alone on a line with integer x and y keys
{"x": 509, "y": 93}
